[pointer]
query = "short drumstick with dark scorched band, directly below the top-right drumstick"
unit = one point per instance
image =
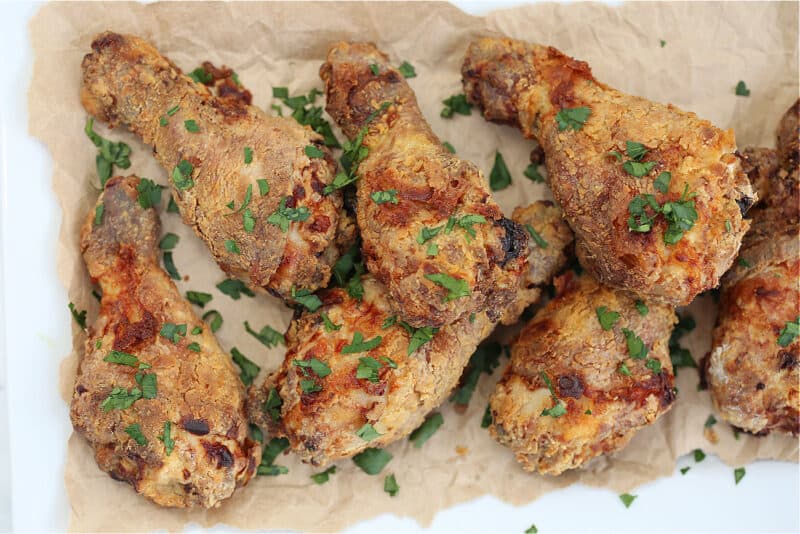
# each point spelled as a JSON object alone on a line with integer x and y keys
{"x": 572, "y": 390}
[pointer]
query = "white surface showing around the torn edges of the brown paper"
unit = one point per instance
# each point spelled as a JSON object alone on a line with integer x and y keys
{"x": 35, "y": 334}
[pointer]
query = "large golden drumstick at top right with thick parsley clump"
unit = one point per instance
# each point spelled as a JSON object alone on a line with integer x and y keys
{"x": 661, "y": 252}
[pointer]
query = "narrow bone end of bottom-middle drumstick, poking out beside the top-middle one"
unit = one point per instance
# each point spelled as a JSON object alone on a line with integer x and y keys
{"x": 550, "y": 238}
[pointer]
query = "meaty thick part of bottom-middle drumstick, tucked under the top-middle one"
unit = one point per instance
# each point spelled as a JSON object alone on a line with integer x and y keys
{"x": 385, "y": 387}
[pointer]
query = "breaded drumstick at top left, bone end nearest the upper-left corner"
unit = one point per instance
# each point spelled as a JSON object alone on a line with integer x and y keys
{"x": 249, "y": 184}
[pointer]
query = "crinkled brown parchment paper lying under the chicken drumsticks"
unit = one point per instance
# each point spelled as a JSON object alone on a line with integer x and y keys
{"x": 709, "y": 47}
